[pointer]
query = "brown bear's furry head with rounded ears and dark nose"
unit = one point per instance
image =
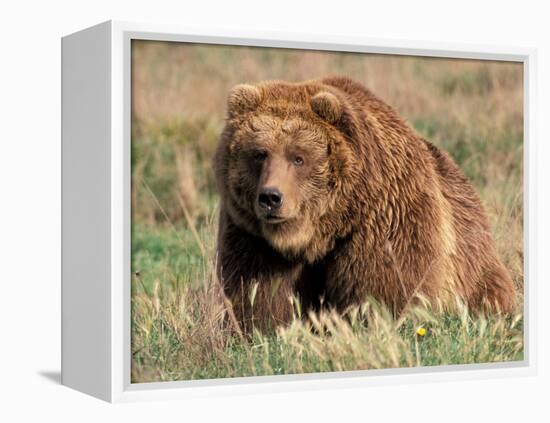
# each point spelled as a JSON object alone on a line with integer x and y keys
{"x": 282, "y": 162}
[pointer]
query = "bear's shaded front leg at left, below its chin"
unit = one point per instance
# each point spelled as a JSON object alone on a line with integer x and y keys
{"x": 259, "y": 282}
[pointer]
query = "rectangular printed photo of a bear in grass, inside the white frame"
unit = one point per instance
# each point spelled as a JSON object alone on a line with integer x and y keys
{"x": 298, "y": 211}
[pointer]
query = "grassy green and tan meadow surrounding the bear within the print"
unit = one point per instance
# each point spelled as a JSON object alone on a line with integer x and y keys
{"x": 472, "y": 109}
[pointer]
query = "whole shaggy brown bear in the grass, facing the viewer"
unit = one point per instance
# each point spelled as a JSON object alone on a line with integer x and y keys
{"x": 328, "y": 197}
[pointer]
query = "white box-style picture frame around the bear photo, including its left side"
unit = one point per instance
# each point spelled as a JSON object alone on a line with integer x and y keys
{"x": 96, "y": 353}
